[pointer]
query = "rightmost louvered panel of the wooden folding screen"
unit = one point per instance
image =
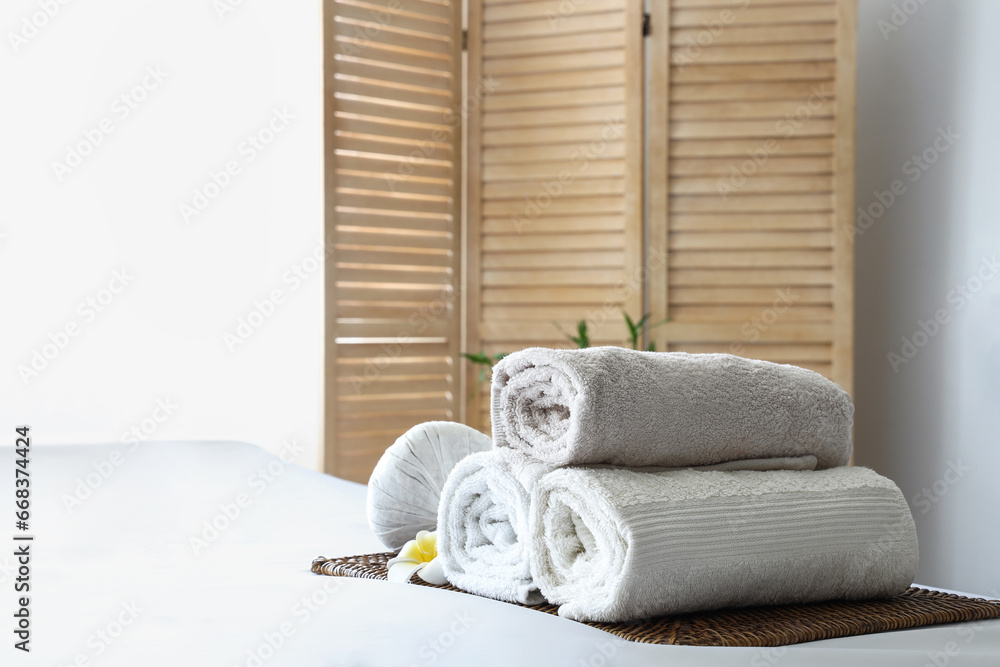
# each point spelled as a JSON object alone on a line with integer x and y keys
{"x": 759, "y": 153}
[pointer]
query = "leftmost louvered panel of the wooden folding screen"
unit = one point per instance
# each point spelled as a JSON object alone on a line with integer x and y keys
{"x": 393, "y": 137}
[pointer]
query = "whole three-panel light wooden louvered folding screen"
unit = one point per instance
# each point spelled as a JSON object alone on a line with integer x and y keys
{"x": 702, "y": 173}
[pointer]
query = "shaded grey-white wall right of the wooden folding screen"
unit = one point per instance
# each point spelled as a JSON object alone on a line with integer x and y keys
{"x": 932, "y": 423}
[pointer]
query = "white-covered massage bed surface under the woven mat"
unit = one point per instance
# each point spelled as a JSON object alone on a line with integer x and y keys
{"x": 124, "y": 555}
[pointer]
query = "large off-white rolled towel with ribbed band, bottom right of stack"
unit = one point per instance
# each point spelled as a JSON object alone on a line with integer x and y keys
{"x": 616, "y": 545}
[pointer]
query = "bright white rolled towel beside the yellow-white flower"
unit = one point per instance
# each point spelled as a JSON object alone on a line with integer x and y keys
{"x": 483, "y": 525}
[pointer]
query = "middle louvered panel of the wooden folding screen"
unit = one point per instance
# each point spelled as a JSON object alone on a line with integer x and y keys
{"x": 555, "y": 174}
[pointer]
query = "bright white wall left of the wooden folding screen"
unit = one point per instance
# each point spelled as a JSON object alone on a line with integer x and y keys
{"x": 189, "y": 281}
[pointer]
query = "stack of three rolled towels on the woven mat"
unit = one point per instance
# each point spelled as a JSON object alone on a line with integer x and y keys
{"x": 626, "y": 484}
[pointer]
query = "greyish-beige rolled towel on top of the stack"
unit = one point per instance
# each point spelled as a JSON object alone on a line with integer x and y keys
{"x": 628, "y": 408}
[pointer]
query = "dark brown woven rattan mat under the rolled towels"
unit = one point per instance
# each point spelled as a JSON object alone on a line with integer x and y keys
{"x": 750, "y": 626}
